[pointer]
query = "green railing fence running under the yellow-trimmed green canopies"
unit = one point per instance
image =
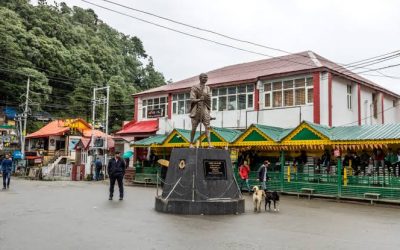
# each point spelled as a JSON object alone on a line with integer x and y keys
{"x": 382, "y": 187}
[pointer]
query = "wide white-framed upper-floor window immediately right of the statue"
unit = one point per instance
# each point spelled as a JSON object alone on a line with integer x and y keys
{"x": 233, "y": 98}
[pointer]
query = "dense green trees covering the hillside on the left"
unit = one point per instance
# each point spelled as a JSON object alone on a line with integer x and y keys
{"x": 67, "y": 51}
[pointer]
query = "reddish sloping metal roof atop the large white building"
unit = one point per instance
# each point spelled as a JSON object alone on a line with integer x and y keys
{"x": 250, "y": 72}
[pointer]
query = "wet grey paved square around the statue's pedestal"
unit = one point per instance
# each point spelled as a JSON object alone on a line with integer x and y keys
{"x": 77, "y": 215}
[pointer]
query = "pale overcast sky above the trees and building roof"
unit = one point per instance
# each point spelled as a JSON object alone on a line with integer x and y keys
{"x": 342, "y": 31}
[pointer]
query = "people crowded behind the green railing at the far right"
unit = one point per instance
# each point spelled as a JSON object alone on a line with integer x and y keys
{"x": 366, "y": 163}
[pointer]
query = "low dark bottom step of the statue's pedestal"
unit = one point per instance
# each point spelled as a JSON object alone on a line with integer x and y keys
{"x": 213, "y": 207}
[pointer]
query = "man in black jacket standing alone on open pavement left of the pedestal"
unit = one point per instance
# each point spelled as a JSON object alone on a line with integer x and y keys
{"x": 116, "y": 171}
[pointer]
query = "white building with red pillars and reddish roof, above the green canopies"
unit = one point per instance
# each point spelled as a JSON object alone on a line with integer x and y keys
{"x": 280, "y": 91}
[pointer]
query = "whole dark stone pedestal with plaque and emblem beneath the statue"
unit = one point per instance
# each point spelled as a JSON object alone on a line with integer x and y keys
{"x": 200, "y": 181}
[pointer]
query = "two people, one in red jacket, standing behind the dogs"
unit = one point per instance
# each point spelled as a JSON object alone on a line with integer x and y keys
{"x": 244, "y": 171}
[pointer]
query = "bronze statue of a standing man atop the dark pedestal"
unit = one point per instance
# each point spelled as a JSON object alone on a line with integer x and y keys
{"x": 200, "y": 97}
